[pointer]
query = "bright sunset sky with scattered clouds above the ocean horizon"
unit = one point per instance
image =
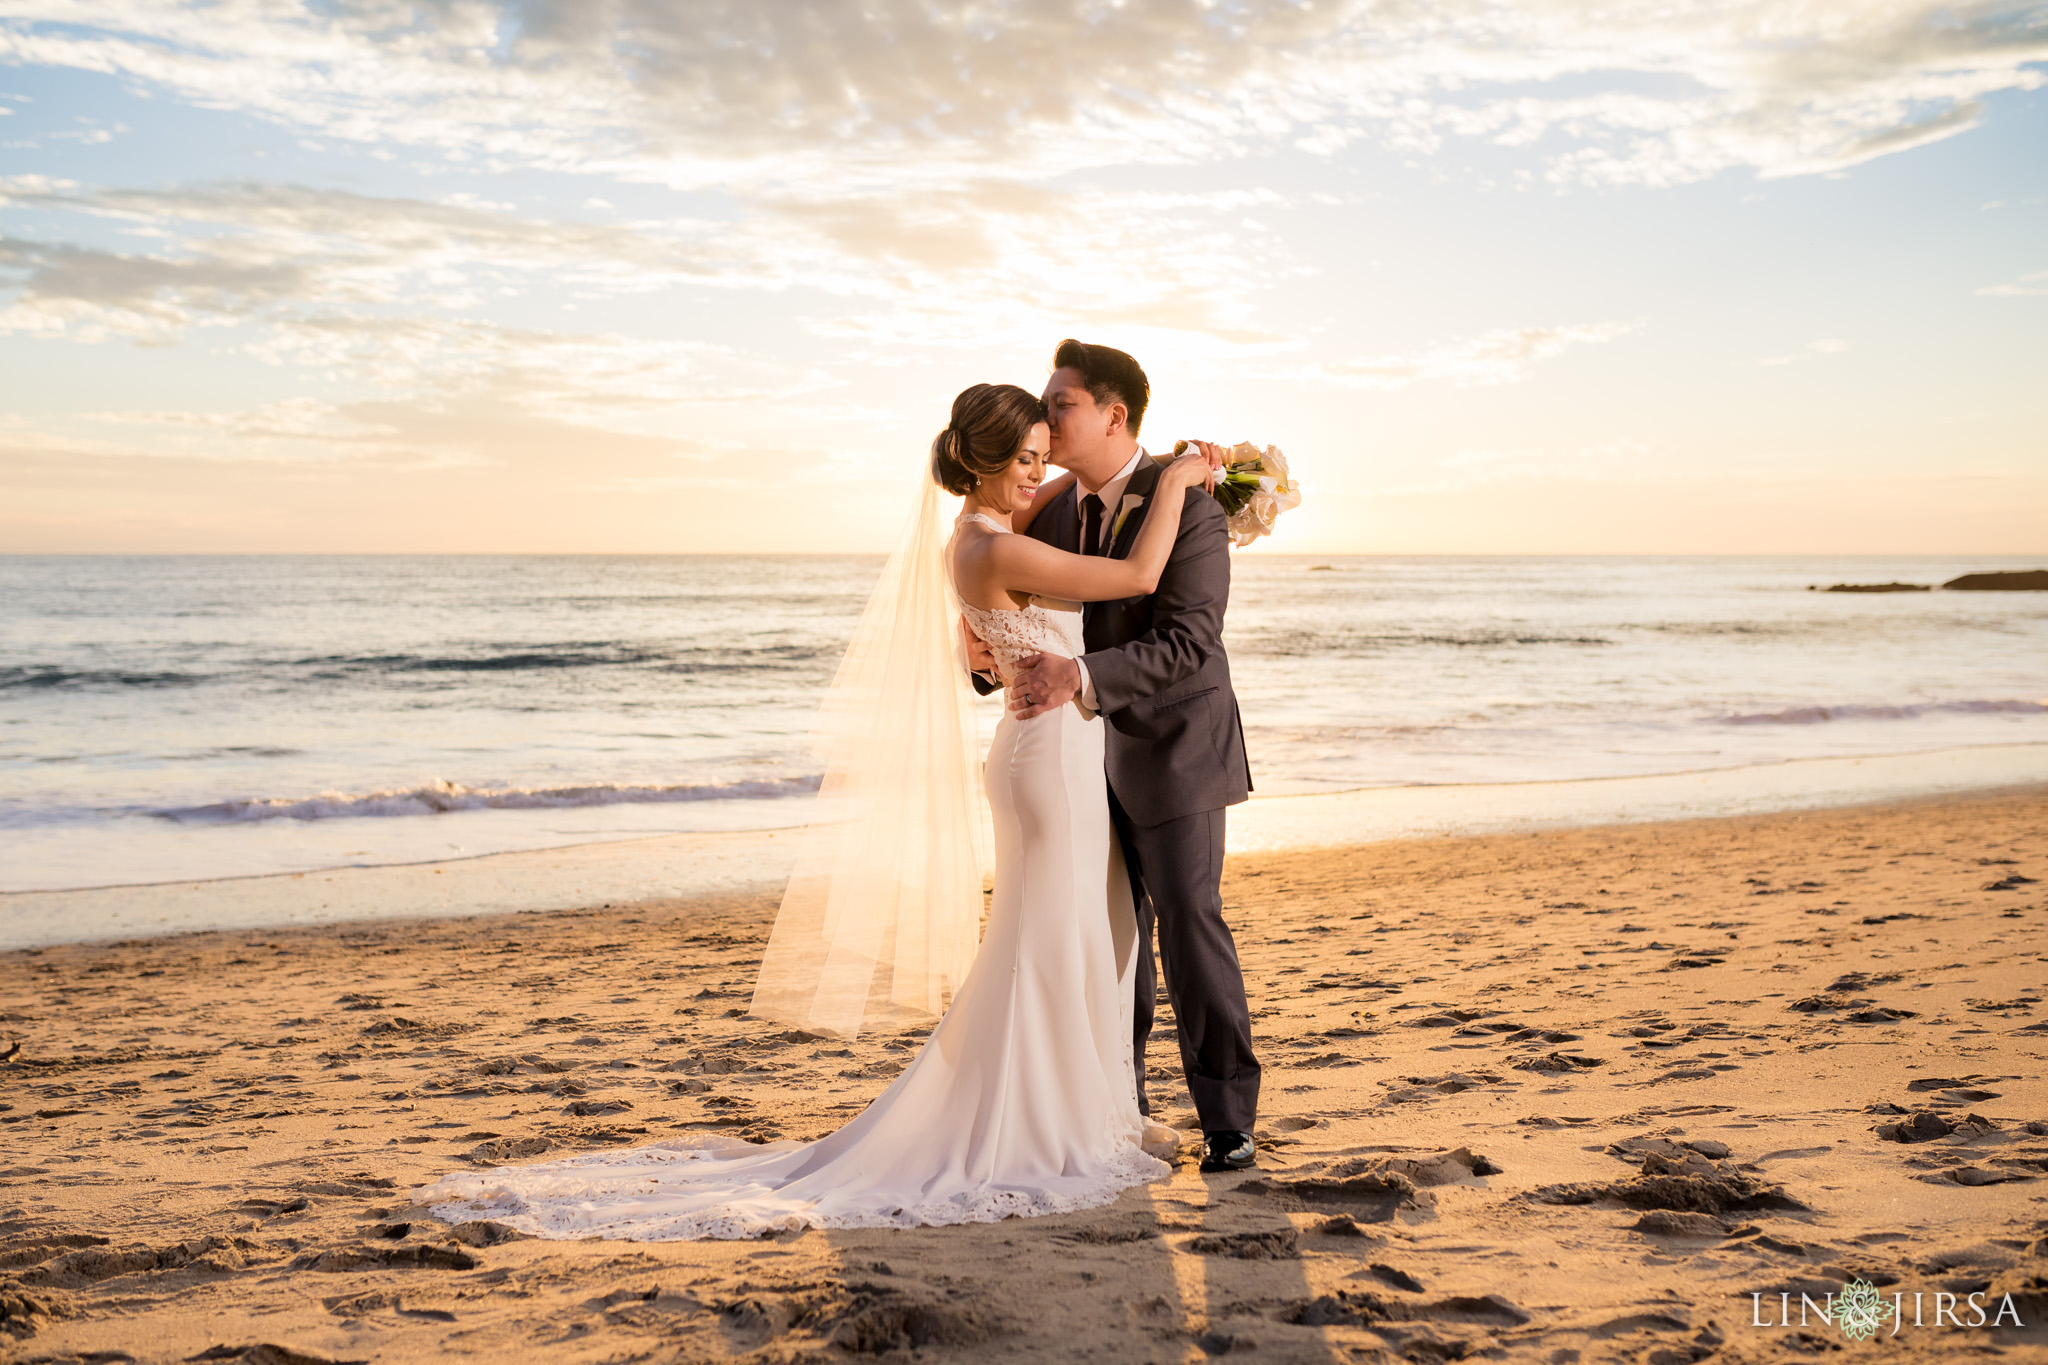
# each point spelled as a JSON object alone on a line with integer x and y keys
{"x": 1596, "y": 277}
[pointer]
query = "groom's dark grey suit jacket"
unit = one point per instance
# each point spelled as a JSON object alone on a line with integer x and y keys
{"x": 1175, "y": 740}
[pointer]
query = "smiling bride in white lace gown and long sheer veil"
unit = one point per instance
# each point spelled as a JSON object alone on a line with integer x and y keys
{"x": 1025, "y": 1098}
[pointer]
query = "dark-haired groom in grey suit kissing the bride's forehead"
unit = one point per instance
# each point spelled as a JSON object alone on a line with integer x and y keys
{"x": 1175, "y": 746}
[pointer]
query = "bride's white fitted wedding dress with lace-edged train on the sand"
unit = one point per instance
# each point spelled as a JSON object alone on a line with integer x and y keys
{"x": 1021, "y": 1102}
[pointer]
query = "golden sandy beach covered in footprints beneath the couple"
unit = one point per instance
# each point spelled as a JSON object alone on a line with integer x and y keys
{"x": 1566, "y": 1096}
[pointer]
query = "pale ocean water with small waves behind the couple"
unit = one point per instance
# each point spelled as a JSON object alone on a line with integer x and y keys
{"x": 204, "y": 717}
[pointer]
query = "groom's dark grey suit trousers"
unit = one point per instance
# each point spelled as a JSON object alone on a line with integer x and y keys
{"x": 1175, "y": 881}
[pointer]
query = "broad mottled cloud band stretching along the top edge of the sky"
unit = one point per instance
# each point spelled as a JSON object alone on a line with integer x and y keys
{"x": 833, "y": 99}
